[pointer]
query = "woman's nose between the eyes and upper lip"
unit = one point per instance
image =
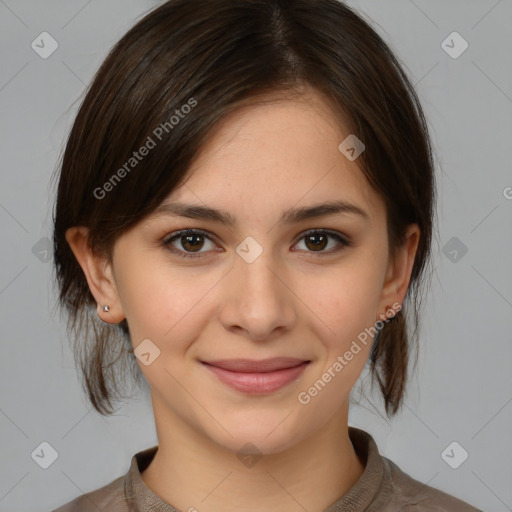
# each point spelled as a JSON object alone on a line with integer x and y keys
{"x": 257, "y": 299}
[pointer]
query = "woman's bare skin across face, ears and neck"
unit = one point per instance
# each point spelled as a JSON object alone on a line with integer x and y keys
{"x": 293, "y": 300}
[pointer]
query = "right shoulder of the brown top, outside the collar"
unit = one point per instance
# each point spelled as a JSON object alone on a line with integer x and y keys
{"x": 410, "y": 495}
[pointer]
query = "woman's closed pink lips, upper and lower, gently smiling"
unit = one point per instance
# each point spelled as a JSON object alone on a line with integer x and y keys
{"x": 257, "y": 377}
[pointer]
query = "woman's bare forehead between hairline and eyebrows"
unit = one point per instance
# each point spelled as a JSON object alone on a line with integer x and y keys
{"x": 273, "y": 154}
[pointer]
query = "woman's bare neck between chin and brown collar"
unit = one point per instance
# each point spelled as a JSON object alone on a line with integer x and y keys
{"x": 191, "y": 472}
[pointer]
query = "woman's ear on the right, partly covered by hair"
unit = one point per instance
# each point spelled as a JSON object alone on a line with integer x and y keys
{"x": 398, "y": 274}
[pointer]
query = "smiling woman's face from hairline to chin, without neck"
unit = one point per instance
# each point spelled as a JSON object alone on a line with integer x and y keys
{"x": 270, "y": 284}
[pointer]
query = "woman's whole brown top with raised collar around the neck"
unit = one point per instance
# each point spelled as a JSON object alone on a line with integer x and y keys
{"x": 383, "y": 487}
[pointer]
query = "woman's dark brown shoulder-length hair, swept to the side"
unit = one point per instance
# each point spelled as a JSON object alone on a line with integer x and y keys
{"x": 214, "y": 56}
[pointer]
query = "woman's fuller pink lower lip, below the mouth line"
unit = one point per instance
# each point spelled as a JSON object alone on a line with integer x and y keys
{"x": 258, "y": 383}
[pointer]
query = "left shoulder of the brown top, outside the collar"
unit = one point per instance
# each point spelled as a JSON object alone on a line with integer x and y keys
{"x": 111, "y": 497}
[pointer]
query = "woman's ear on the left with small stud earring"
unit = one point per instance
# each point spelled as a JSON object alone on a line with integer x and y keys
{"x": 99, "y": 275}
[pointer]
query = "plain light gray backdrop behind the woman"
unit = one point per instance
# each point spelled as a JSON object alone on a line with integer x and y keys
{"x": 462, "y": 389}
